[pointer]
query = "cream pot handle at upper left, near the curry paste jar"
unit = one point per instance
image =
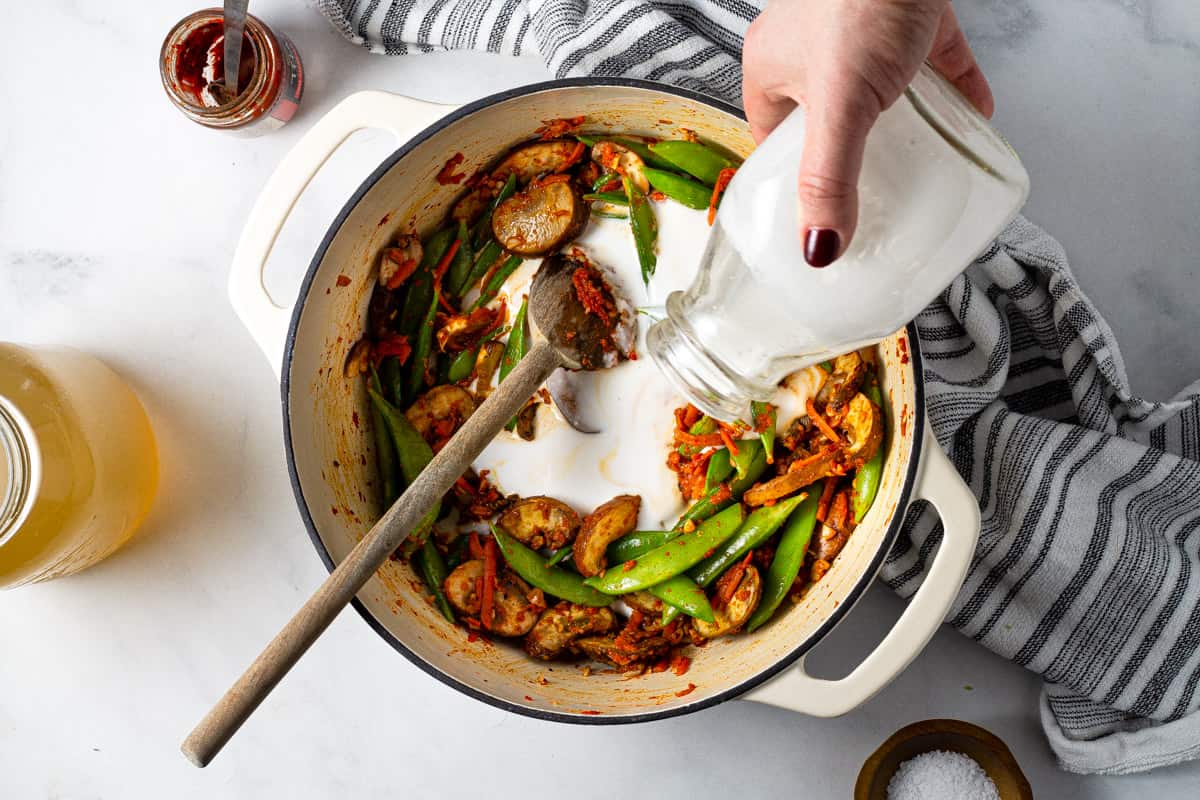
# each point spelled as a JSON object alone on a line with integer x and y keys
{"x": 267, "y": 321}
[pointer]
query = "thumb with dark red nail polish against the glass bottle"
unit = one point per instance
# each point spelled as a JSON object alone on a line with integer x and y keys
{"x": 835, "y": 141}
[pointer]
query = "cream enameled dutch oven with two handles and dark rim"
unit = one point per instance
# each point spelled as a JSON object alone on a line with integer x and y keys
{"x": 329, "y": 452}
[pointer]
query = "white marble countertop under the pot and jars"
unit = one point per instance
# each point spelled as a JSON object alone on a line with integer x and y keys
{"x": 118, "y": 220}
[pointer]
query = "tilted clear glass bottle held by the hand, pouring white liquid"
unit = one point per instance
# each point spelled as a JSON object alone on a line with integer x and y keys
{"x": 938, "y": 185}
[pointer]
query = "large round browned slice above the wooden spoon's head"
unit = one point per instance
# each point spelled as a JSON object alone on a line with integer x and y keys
{"x": 542, "y": 219}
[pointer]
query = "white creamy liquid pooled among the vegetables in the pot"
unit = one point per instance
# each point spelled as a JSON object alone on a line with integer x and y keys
{"x": 634, "y": 401}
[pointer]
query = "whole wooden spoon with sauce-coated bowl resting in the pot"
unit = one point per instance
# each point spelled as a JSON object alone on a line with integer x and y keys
{"x": 568, "y": 335}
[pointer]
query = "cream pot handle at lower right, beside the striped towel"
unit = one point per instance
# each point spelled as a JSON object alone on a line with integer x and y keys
{"x": 940, "y": 484}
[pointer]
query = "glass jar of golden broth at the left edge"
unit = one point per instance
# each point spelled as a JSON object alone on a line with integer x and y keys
{"x": 79, "y": 464}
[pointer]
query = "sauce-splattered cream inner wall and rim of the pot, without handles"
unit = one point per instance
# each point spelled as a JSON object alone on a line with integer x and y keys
{"x": 333, "y": 460}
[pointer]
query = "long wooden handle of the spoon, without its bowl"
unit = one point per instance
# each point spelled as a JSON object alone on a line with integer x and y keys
{"x": 232, "y": 711}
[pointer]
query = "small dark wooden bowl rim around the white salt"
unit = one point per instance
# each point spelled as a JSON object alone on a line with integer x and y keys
{"x": 955, "y": 736}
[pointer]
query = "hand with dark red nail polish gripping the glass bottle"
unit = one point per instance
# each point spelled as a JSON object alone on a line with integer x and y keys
{"x": 845, "y": 62}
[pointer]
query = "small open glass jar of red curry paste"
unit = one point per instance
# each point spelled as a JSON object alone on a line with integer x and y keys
{"x": 271, "y": 75}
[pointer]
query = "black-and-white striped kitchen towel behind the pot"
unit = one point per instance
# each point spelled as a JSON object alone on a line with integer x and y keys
{"x": 1088, "y": 569}
